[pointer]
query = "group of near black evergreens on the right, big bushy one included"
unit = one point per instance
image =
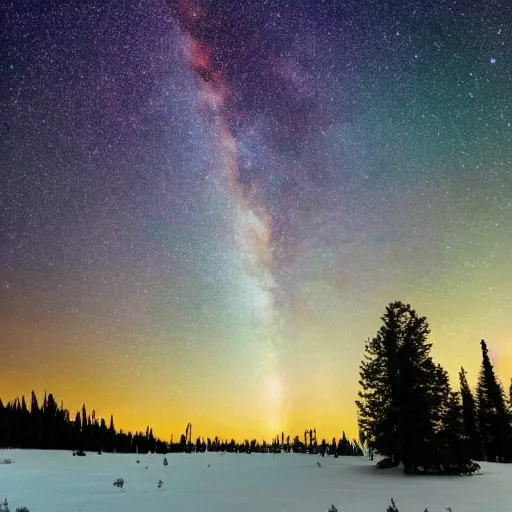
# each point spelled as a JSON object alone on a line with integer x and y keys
{"x": 410, "y": 414}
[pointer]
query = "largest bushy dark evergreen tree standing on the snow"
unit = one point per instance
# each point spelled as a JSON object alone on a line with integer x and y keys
{"x": 404, "y": 393}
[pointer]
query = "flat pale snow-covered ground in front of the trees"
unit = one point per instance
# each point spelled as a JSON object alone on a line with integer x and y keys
{"x": 56, "y": 481}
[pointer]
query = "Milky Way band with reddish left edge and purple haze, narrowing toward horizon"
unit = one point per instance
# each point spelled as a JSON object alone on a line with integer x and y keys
{"x": 266, "y": 107}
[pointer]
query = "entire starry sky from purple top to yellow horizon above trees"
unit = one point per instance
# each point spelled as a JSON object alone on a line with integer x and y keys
{"x": 206, "y": 205}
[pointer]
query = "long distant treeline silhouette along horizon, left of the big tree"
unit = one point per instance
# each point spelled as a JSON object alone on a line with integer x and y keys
{"x": 50, "y": 426}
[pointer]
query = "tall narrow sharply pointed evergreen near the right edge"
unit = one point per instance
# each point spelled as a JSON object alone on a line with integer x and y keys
{"x": 493, "y": 415}
